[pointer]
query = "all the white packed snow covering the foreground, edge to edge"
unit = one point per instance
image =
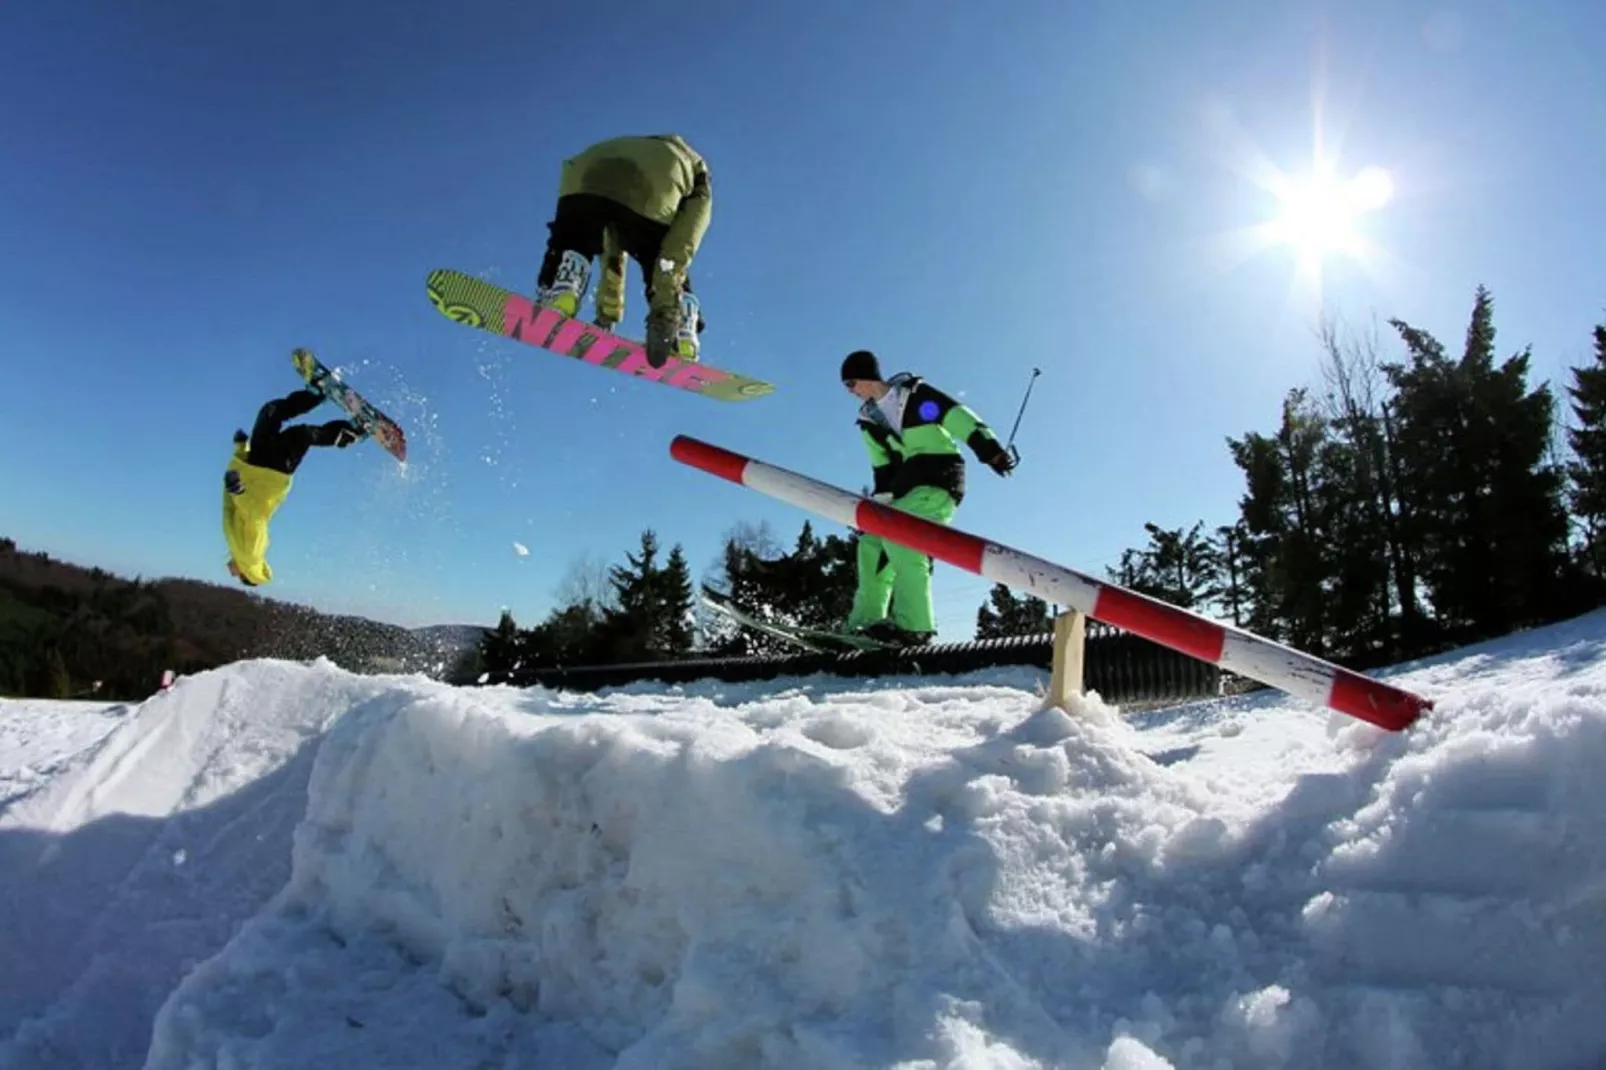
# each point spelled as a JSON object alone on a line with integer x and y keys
{"x": 282, "y": 865}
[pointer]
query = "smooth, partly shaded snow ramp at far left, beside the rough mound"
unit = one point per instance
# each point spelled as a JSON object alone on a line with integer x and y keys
{"x": 141, "y": 860}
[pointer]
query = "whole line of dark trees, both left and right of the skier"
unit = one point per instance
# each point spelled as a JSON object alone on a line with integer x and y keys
{"x": 1403, "y": 508}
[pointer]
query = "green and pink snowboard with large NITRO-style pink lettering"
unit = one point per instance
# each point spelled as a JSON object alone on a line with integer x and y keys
{"x": 479, "y": 304}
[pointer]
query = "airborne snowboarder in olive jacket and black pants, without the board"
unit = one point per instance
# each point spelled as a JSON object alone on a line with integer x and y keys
{"x": 648, "y": 198}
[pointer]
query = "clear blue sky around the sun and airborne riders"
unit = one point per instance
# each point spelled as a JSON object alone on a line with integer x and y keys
{"x": 187, "y": 192}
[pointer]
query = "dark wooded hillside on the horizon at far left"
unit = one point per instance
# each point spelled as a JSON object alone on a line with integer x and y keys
{"x": 65, "y": 627}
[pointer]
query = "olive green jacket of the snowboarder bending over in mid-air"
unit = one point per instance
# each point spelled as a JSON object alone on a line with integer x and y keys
{"x": 659, "y": 178}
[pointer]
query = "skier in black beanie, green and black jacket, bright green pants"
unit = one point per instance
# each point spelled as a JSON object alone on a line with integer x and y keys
{"x": 913, "y": 433}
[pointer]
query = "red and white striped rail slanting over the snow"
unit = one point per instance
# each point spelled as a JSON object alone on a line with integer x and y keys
{"x": 1234, "y": 650}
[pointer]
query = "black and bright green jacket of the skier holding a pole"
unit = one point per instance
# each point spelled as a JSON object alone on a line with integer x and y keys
{"x": 916, "y": 444}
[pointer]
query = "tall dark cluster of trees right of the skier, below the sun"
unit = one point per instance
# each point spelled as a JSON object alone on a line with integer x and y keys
{"x": 1406, "y": 507}
